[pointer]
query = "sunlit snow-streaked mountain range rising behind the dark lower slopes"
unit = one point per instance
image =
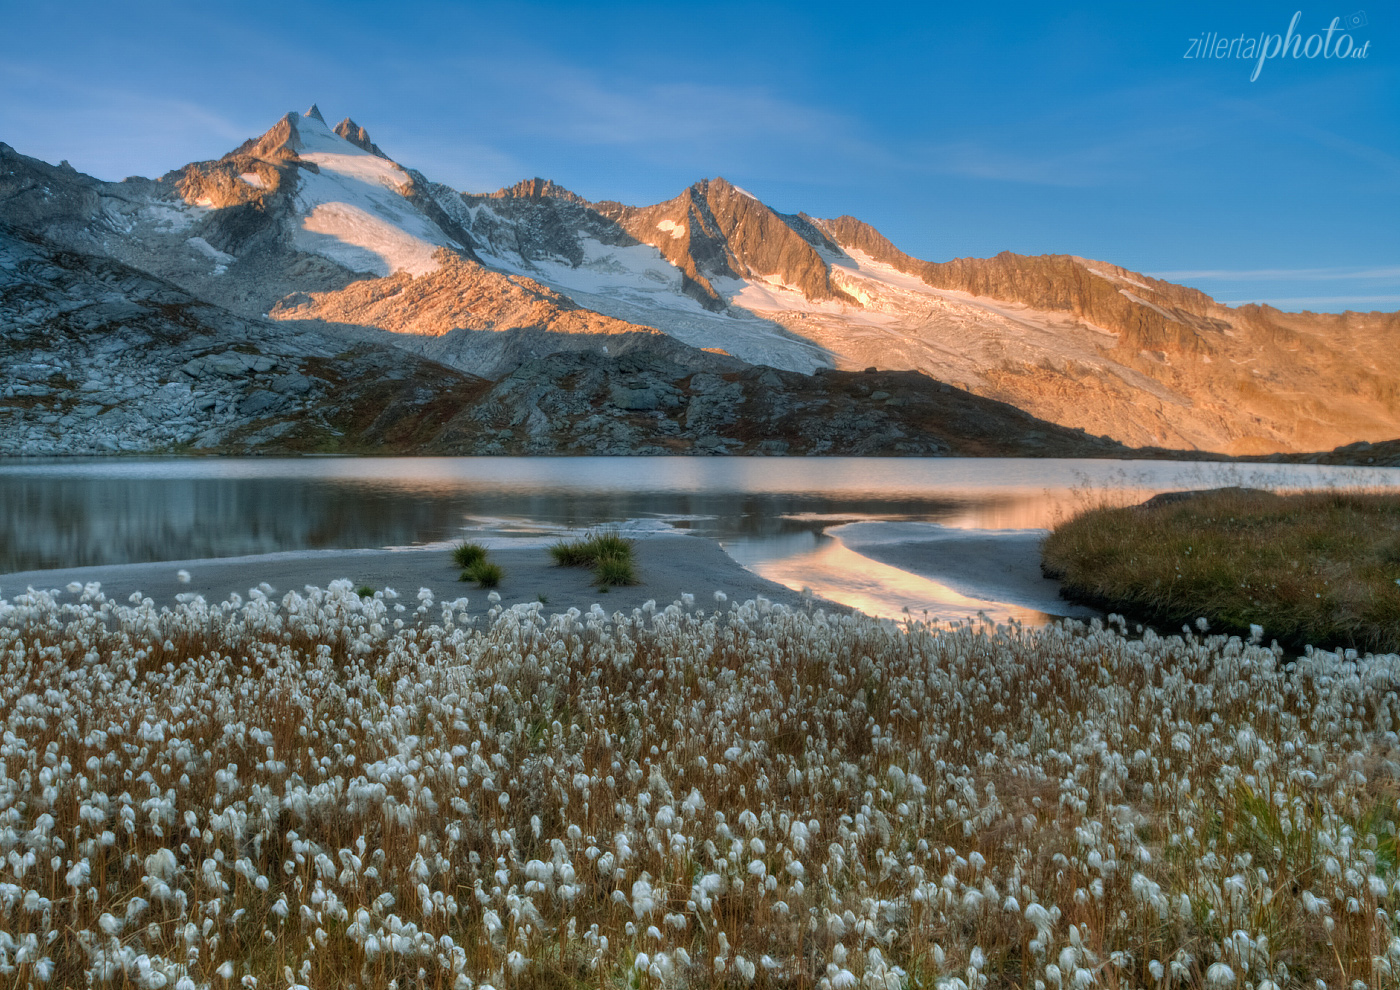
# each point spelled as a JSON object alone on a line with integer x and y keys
{"x": 317, "y": 232}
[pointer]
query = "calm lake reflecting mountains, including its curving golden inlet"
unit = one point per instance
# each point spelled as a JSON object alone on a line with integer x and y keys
{"x": 772, "y": 515}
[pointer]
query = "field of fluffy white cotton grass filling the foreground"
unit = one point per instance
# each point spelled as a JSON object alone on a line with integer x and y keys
{"x": 331, "y": 790}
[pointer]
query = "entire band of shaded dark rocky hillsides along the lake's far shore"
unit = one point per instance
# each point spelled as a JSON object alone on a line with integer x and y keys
{"x": 100, "y": 358}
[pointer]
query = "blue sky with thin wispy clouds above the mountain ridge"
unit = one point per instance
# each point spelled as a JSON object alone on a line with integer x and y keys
{"x": 957, "y": 130}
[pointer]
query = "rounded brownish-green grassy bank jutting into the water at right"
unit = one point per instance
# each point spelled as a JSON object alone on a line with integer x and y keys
{"x": 1317, "y": 569}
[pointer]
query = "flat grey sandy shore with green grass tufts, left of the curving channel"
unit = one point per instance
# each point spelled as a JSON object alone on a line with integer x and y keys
{"x": 667, "y": 566}
